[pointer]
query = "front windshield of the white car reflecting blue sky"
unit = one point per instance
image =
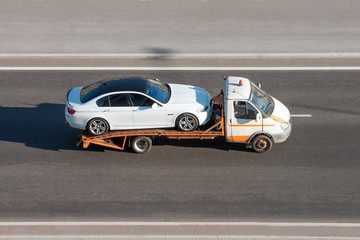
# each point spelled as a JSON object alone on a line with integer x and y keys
{"x": 158, "y": 90}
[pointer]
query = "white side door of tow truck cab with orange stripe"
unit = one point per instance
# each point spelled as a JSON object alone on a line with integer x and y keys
{"x": 243, "y": 122}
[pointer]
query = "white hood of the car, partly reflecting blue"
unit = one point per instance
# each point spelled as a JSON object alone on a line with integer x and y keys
{"x": 186, "y": 94}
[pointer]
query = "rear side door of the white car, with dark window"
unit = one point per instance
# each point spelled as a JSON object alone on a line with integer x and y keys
{"x": 117, "y": 110}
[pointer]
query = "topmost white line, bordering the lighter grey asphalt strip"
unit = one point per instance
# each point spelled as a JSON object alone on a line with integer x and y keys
{"x": 192, "y": 55}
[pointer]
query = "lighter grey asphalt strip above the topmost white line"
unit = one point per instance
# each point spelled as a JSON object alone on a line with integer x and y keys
{"x": 170, "y": 26}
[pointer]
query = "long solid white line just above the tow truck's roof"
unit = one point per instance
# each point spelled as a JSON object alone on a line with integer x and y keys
{"x": 349, "y": 68}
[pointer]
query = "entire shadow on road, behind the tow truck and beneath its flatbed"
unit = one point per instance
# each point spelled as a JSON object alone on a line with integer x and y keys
{"x": 44, "y": 127}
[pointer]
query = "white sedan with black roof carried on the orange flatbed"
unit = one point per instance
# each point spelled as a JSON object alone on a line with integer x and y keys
{"x": 136, "y": 103}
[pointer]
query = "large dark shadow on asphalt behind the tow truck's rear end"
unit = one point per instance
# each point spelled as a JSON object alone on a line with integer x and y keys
{"x": 42, "y": 126}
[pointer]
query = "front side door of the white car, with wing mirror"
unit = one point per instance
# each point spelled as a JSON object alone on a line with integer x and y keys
{"x": 147, "y": 113}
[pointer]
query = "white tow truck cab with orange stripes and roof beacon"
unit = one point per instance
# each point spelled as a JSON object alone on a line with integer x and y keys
{"x": 252, "y": 116}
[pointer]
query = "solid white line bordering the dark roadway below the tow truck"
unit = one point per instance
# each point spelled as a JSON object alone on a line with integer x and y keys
{"x": 269, "y": 224}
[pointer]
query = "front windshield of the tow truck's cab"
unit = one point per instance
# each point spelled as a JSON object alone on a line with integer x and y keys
{"x": 261, "y": 99}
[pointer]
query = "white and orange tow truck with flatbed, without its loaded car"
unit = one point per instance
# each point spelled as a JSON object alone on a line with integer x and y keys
{"x": 244, "y": 114}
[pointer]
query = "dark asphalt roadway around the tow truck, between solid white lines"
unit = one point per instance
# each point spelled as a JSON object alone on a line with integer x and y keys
{"x": 314, "y": 176}
